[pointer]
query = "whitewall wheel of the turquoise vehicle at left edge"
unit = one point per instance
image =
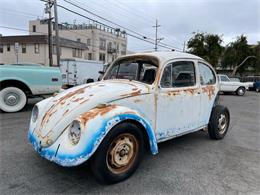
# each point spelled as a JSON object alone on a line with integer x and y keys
{"x": 12, "y": 99}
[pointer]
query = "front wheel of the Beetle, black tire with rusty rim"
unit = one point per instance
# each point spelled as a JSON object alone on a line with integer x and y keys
{"x": 104, "y": 161}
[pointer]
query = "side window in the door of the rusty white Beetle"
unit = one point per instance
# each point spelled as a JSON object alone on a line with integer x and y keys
{"x": 179, "y": 74}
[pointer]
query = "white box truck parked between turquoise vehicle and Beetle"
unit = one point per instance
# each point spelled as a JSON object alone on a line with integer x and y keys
{"x": 77, "y": 71}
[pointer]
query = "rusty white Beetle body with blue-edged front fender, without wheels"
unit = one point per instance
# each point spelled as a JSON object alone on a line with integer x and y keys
{"x": 163, "y": 112}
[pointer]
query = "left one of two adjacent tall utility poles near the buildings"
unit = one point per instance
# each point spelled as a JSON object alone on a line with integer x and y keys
{"x": 48, "y": 11}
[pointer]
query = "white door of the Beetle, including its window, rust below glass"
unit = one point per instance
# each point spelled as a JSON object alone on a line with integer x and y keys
{"x": 178, "y": 99}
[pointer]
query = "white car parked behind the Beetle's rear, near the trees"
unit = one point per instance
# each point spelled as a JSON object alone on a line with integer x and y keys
{"x": 227, "y": 85}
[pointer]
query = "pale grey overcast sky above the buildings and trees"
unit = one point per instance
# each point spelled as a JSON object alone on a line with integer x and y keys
{"x": 178, "y": 18}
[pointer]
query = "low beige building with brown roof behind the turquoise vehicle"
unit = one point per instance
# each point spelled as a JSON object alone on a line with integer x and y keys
{"x": 35, "y": 49}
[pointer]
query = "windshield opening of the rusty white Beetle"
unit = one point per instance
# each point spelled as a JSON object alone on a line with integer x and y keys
{"x": 143, "y": 70}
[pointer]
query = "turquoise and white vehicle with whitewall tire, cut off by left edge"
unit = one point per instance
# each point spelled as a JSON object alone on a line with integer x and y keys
{"x": 20, "y": 81}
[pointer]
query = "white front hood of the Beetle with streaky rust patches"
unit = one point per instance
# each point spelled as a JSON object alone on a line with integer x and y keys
{"x": 62, "y": 109}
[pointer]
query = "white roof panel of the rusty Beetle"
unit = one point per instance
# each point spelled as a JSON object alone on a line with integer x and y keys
{"x": 164, "y": 56}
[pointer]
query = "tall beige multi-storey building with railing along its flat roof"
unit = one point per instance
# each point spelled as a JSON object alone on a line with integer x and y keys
{"x": 104, "y": 44}
